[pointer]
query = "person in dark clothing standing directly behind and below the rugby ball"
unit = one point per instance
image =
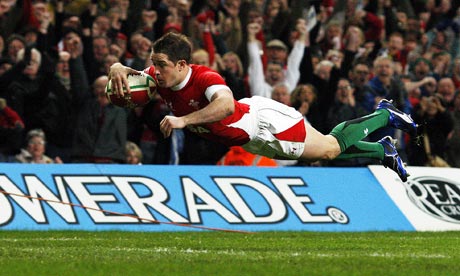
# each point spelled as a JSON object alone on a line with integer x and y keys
{"x": 97, "y": 121}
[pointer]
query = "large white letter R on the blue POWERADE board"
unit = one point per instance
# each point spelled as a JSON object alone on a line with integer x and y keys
{"x": 156, "y": 201}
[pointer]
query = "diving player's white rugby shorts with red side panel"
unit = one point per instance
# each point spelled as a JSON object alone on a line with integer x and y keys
{"x": 275, "y": 130}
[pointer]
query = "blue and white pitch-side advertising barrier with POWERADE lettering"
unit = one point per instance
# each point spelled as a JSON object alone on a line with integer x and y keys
{"x": 235, "y": 199}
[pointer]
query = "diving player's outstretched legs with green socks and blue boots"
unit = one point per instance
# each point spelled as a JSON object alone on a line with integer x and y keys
{"x": 348, "y": 136}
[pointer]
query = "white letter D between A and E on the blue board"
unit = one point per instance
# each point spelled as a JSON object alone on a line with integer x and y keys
{"x": 276, "y": 205}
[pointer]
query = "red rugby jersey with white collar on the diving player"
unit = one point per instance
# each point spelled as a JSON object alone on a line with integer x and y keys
{"x": 192, "y": 98}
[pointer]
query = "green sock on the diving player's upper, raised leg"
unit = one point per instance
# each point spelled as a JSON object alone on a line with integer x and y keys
{"x": 350, "y": 132}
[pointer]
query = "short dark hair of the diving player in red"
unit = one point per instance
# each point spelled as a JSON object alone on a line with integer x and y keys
{"x": 176, "y": 46}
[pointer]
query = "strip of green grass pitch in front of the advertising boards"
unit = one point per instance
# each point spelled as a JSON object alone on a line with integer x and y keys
{"x": 217, "y": 253}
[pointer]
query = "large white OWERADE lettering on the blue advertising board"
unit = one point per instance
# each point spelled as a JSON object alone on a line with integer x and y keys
{"x": 142, "y": 199}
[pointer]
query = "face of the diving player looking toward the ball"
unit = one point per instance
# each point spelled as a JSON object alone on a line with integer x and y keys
{"x": 168, "y": 73}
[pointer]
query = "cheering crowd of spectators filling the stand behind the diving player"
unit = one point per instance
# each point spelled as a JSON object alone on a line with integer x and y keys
{"x": 332, "y": 60}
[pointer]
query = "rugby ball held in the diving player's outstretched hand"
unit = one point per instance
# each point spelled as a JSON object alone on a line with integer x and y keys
{"x": 143, "y": 88}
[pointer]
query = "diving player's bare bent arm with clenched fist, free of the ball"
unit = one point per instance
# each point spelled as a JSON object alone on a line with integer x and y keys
{"x": 220, "y": 107}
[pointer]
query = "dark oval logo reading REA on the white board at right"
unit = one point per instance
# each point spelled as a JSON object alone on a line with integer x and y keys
{"x": 436, "y": 196}
